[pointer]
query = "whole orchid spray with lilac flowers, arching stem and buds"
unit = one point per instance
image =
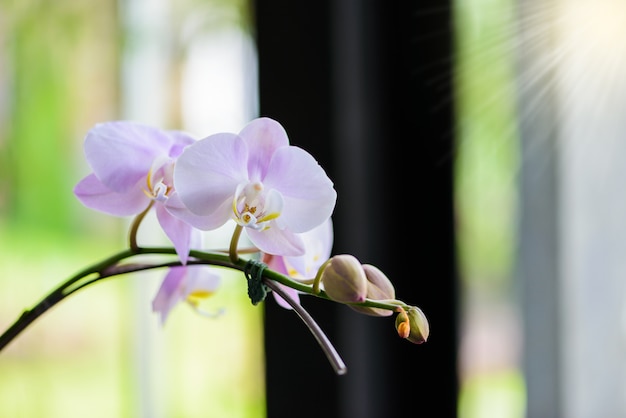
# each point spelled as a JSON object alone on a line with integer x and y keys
{"x": 275, "y": 193}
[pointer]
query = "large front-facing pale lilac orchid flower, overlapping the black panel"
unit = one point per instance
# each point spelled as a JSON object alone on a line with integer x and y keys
{"x": 275, "y": 191}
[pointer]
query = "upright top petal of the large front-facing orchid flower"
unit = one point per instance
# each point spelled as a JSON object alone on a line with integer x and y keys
{"x": 263, "y": 136}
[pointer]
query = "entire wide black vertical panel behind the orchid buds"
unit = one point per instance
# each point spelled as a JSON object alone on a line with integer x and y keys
{"x": 366, "y": 88}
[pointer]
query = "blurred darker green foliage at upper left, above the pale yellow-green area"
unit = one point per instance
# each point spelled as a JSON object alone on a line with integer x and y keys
{"x": 50, "y": 66}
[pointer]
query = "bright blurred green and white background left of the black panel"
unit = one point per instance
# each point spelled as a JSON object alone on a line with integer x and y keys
{"x": 65, "y": 66}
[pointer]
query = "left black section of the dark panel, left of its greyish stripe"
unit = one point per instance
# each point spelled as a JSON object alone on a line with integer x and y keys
{"x": 294, "y": 83}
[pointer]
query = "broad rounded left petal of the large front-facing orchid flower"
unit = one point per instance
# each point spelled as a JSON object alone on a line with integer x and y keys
{"x": 207, "y": 173}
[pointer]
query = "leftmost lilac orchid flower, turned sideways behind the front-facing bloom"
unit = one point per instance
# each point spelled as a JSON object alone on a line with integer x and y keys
{"x": 132, "y": 168}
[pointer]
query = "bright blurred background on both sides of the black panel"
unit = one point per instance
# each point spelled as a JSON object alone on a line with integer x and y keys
{"x": 539, "y": 89}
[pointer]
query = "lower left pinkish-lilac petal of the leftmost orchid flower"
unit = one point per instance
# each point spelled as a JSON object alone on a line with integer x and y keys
{"x": 95, "y": 195}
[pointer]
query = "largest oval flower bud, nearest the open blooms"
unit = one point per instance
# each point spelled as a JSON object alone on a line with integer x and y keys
{"x": 344, "y": 279}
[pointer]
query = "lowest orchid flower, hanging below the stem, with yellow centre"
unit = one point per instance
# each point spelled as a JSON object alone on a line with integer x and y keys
{"x": 184, "y": 284}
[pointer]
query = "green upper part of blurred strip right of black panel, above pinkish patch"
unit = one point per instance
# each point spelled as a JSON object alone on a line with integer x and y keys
{"x": 487, "y": 150}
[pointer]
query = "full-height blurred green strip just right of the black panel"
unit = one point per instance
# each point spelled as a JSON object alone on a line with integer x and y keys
{"x": 486, "y": 197}
